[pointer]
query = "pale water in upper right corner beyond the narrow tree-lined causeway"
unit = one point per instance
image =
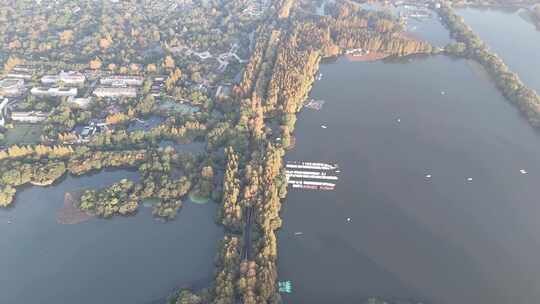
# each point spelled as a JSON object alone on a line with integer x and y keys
{"x": 512, "y": 37}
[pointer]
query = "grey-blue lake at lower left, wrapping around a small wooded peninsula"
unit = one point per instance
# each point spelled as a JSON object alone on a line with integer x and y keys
{"x": 127, "y": 260}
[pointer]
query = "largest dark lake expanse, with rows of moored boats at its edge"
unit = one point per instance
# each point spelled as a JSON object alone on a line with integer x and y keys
{"x": 440, "y": 240}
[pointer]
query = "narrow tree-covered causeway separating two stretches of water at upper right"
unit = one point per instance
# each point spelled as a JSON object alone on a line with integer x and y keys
{"x": 469, "y": 45}
